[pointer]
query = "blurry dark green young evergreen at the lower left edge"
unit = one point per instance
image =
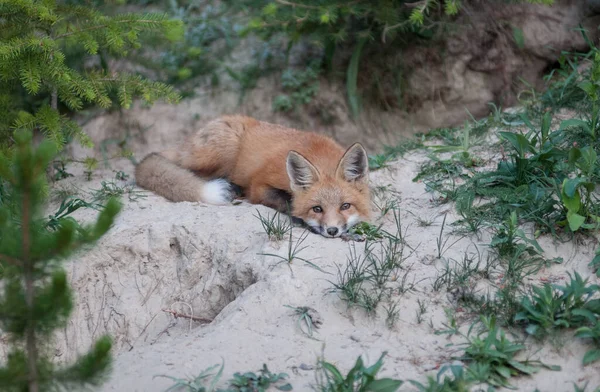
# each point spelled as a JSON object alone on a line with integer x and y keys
{"x": 35, "y": 298}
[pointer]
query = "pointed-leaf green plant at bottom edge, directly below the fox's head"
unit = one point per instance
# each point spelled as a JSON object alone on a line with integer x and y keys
{"x": 358, "y": 379}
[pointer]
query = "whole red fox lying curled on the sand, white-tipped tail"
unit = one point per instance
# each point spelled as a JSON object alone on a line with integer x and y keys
{"x": 324, "y": 185}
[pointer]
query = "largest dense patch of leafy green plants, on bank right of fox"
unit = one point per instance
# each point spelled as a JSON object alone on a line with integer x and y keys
{"x": 548, "y": 171}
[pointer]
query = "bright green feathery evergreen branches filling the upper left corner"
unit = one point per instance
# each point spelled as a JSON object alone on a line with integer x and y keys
{"x": 35, "y": 36}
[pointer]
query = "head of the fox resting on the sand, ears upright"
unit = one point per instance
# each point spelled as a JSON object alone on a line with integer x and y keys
{"x": 331, "y": 203}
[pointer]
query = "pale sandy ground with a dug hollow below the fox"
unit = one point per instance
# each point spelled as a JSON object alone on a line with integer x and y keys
{"x": 209, "y": 262}
